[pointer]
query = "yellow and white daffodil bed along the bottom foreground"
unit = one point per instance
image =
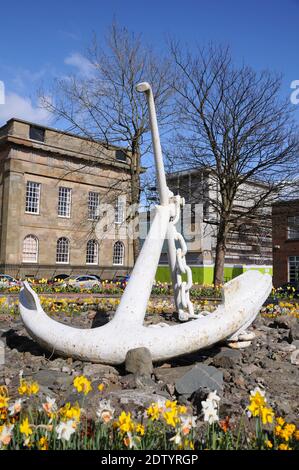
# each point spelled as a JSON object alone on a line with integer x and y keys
{"x": 28, "y": 422}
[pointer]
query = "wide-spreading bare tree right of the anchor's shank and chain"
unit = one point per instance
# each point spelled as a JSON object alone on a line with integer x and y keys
{"x": 234, "y": 125}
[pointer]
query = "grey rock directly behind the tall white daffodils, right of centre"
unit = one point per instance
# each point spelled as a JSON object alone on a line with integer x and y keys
{"x": 200, "y": 376}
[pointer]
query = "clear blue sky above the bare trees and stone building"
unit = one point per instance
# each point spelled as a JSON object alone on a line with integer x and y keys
{"x": 43, "y": 40}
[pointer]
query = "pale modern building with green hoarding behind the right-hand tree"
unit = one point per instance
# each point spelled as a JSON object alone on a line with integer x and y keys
{"x": 250, "y": 241}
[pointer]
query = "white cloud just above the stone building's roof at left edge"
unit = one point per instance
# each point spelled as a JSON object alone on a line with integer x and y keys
{"x": 22, "y": 108}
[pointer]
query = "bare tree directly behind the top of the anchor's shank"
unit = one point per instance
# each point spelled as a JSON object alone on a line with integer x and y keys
{"x": 104, "y": 106}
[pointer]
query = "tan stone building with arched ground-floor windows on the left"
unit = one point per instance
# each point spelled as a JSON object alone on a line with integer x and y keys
{"x": 53, "y": 184}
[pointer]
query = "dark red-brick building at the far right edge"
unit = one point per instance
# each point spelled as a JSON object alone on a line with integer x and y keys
{"x": 285, "y": 232}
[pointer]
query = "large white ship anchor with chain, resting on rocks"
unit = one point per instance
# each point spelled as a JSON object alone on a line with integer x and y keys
{"x": 242, "y": 296}
